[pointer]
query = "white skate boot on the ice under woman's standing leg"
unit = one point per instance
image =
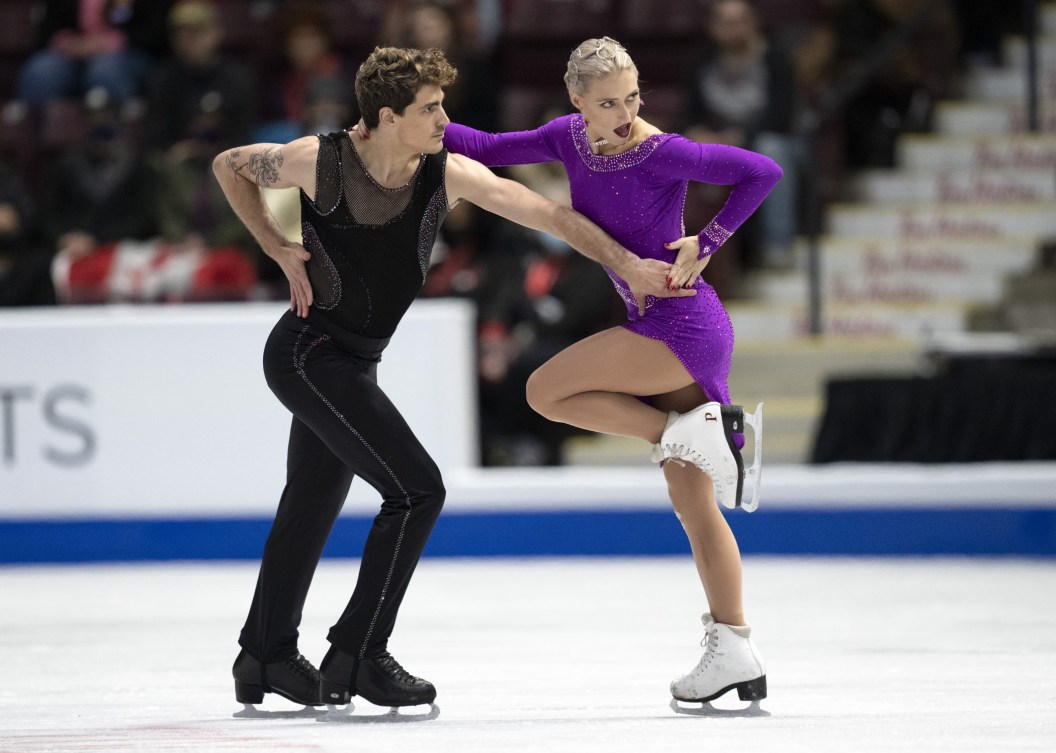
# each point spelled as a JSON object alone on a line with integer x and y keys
{"x": 730, "y": 662}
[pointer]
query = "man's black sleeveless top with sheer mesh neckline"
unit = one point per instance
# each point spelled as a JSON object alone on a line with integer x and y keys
{"x": 370, "y": 246}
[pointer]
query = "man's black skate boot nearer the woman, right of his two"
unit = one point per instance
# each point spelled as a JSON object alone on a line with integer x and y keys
{"x": 381, "y": 681}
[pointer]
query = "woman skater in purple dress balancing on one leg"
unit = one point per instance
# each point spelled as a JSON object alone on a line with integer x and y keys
{"x": 631, "y": 180}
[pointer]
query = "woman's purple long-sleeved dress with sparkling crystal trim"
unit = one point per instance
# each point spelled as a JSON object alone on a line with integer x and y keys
{"x": 637, "y": 198}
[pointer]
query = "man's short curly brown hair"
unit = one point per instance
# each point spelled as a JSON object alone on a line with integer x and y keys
{"x": 392, "y": 77}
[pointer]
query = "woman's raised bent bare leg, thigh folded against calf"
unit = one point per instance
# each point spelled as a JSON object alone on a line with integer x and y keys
{"x": 592, "y": 385}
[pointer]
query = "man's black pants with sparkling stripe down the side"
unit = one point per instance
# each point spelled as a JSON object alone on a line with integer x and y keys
{"x": 344, "y": 425}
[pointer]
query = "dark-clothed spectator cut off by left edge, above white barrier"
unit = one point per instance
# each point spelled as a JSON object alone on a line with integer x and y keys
{"x": 25, "y": 278}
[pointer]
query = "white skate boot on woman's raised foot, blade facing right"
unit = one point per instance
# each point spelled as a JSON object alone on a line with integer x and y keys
{"x": 705, "y": 438}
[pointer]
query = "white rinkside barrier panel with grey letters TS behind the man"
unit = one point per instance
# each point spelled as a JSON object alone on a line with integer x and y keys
{"x": 164, "y": 411}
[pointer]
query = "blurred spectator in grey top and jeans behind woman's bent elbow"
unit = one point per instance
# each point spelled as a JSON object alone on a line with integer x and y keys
{"x": 743, "y": 92}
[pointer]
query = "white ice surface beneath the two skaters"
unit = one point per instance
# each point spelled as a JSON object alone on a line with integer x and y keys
{"x": 548, "y": 655}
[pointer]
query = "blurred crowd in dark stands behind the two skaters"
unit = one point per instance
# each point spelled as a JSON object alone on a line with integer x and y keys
{"x": 111, "y": 112}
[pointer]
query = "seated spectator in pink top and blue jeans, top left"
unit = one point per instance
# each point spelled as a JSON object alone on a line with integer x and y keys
{"x": 92, "y": 44}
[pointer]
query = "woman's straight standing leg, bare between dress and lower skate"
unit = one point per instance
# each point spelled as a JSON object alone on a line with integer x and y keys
{"x": 714, "y": 548}
